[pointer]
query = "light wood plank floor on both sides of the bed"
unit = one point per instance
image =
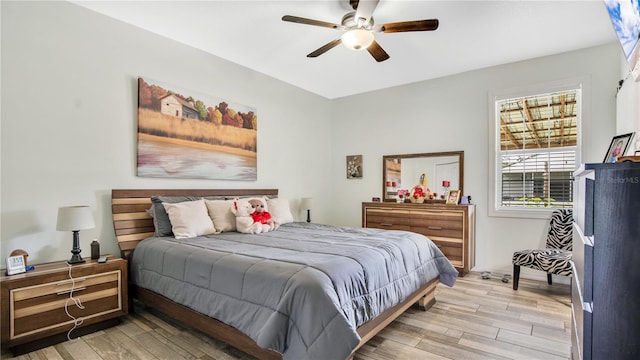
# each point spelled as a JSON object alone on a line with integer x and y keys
{"x": 476, "y": 319}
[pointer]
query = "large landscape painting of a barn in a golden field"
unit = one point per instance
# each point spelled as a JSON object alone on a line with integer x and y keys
{"x": 185, "y": 134}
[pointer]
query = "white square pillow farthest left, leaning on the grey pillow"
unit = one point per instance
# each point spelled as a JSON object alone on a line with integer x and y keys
{"x": 189, "y": 219}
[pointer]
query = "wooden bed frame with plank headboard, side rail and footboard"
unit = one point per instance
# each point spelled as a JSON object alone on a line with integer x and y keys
{"x": 133, "y": 224}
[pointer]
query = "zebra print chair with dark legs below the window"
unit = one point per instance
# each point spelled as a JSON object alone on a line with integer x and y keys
{"x": 556, "y": 258}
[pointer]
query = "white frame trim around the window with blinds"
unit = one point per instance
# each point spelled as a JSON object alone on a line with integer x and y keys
{"x": 495, "y": 171}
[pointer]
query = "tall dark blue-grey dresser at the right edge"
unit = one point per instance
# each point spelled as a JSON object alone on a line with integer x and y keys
{"x": 605, "y": 291}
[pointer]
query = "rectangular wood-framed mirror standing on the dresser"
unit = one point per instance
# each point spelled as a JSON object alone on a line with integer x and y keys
{"x": 408, "y": 170}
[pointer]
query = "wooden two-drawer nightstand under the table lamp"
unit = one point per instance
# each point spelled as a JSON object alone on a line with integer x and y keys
{"x": 33, "y": 303}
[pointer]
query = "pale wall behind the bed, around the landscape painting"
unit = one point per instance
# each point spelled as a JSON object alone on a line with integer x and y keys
{"x": 69, "y": 103}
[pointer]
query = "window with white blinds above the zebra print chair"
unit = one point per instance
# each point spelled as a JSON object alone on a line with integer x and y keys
{"x": 536, "y": 148}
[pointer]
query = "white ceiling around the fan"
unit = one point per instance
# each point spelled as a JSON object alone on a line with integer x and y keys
{"x": 472, "y": 35}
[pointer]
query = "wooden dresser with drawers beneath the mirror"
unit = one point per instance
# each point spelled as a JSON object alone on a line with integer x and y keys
{"x": 451, "y": 227}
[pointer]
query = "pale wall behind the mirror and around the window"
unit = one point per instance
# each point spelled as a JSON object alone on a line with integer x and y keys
{"x": 451, "y": 113}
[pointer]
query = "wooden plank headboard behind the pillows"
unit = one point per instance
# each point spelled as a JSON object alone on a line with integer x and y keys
{"x": 133, "y": 224}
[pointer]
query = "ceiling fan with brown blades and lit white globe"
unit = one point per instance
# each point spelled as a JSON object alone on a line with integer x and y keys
{"x": 359, "y": 29}
